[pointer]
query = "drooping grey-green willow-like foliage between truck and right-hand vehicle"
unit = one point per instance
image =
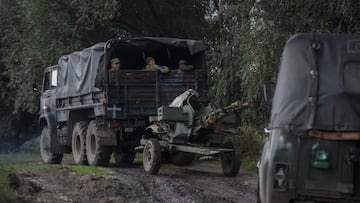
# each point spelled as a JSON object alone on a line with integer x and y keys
{"x": 252, "y": 35}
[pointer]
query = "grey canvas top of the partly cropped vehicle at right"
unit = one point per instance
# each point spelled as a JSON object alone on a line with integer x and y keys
{"x": 318, "y": 84}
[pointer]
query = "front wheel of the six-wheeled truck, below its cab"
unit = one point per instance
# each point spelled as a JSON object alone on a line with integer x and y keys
{"x": 47, "y": 156}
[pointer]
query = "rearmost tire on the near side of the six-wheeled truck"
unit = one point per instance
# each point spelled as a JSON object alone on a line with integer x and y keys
{"x": 97, "y": 155}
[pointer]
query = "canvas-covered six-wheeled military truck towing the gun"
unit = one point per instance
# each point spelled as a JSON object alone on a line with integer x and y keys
{"x": 91, "y": 112}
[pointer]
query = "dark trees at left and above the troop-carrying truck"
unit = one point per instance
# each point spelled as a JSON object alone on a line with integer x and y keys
{"x": 34, "y": 34}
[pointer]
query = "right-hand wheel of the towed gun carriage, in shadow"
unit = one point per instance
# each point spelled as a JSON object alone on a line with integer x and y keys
{"x": 231, "y": 161}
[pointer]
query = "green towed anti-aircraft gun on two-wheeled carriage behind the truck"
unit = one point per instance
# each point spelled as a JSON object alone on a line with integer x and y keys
{"x": 189, "y": 126}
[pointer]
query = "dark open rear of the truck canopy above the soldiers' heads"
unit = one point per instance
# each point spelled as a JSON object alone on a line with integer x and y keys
{"x": 166, "y": 51}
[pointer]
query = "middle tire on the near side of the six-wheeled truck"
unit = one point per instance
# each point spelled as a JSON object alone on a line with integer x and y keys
{"x": 78, "y": 143}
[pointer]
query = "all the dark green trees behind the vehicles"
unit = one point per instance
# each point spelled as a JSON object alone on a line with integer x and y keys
{"x": 244, "y": 40}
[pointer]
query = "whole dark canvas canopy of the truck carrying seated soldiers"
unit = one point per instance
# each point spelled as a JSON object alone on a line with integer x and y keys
{"x": 83, "y": 72}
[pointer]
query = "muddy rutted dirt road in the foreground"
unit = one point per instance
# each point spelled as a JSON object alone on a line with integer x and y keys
{"x": 201, "y": 182}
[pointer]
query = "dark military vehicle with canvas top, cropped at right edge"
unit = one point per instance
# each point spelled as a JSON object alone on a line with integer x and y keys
{"x": 312, "y": 152}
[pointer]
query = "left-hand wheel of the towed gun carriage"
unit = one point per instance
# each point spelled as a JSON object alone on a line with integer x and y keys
{"x": 152, "y": 156}
